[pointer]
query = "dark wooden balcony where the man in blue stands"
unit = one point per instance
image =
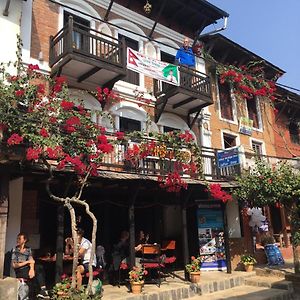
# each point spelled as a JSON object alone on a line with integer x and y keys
{"x": 189, "y": 98}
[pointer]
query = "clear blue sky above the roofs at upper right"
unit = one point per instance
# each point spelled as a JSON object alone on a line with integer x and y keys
{"x": 269, "y": 28}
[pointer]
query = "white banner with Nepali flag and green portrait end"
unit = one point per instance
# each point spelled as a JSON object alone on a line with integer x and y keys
{"x": 154, "y": 68}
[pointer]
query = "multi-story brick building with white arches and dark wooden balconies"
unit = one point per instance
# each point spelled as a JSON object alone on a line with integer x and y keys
{"x": 87, "y": 42}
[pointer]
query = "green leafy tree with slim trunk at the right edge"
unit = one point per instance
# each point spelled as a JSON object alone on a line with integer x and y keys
{"x": 273, "y": 185}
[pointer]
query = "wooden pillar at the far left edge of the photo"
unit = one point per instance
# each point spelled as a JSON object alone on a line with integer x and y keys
{"x": 4, "y": 194}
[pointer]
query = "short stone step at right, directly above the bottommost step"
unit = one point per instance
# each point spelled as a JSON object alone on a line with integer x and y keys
{"x": 270, "y": 282}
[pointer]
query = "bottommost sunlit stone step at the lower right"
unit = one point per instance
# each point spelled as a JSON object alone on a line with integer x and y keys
{"x": 247, "y": 293}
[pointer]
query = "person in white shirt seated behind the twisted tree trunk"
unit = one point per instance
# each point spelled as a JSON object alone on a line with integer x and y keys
{"x": 84, "y": 253}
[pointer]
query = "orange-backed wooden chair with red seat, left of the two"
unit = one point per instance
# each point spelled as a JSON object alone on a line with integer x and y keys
{"x": 152, "y": 260}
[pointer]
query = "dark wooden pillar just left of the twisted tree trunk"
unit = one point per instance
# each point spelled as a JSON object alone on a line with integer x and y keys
{"x": 59, "y": 243}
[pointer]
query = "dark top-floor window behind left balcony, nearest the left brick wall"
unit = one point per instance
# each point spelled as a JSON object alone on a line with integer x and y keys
{"x": 80, "y": 41}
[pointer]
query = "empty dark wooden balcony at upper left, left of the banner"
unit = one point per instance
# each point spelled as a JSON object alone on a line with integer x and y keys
{"x": 86, "y": 56}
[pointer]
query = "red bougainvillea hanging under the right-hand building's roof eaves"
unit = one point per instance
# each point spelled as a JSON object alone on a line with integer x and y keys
{"x": 247, "y": 81}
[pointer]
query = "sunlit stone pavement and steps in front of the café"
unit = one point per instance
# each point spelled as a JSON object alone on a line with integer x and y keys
{"x": 267, "y": 283}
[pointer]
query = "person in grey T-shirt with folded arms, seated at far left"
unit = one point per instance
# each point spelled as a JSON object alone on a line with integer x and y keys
{"x": 25, "y": 267}
